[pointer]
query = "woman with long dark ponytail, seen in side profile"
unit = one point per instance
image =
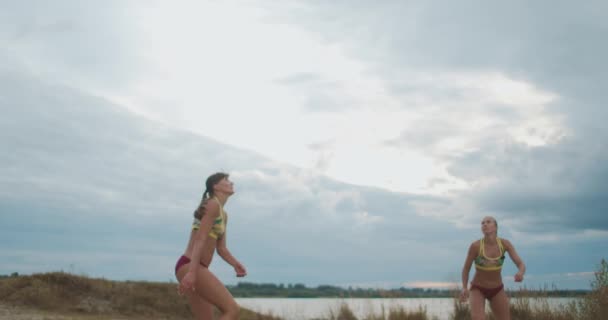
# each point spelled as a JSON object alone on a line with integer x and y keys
{"x": 208, "y": 235}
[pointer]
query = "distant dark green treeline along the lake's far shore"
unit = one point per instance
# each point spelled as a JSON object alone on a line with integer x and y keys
{"x": 247, "y": 289}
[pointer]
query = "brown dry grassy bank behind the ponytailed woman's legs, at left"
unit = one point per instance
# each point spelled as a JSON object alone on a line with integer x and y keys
{"x": 60, "y": 295}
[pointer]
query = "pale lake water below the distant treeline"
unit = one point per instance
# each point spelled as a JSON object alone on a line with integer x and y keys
{"x": 304, "y": 309}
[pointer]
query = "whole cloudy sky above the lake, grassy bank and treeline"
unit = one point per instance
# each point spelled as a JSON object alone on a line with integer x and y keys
{"x": 366, "y": 139}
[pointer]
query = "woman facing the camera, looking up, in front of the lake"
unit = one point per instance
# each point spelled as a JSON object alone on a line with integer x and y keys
{"x": 488, "y": 254}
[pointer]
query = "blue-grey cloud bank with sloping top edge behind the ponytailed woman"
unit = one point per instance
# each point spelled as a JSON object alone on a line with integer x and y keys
{"x": 82, "y": 168}
